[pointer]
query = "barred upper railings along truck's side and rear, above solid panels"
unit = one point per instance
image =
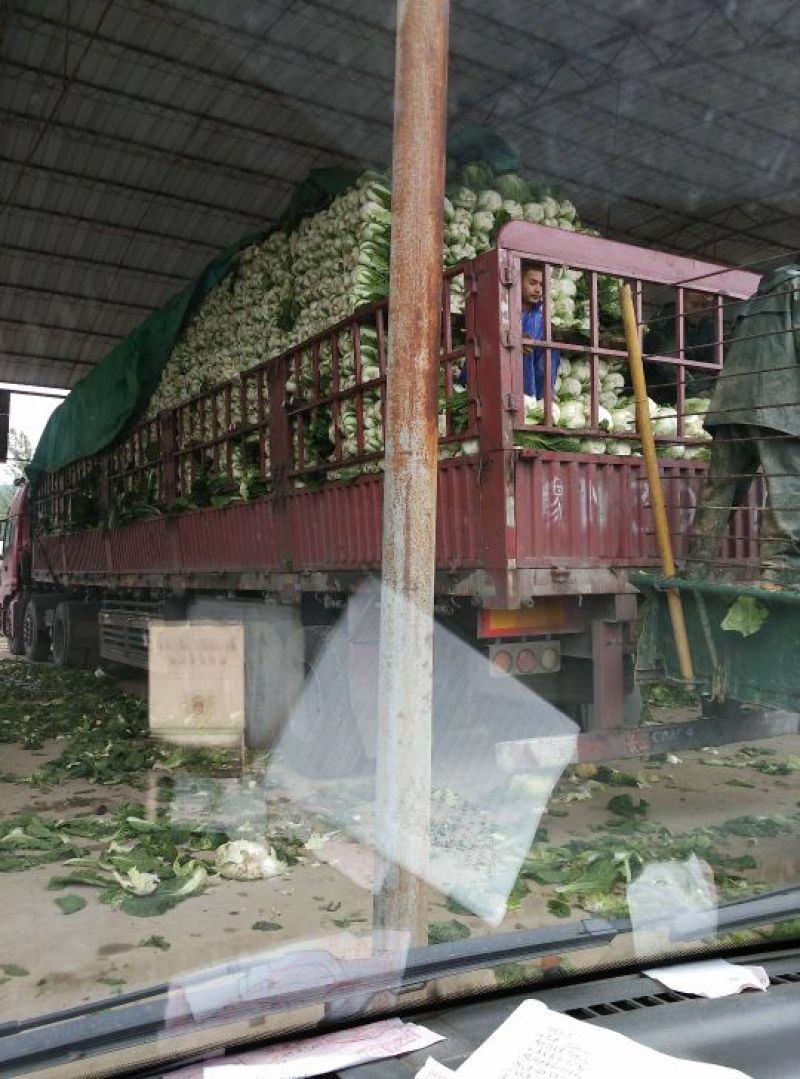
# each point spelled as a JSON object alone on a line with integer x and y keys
{"x": 315, "y": 414}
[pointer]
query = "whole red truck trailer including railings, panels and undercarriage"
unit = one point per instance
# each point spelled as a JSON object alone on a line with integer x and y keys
{"x": 534, "y": 547}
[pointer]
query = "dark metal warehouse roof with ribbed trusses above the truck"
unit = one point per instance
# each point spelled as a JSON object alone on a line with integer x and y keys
{"x": 141, "y": 136}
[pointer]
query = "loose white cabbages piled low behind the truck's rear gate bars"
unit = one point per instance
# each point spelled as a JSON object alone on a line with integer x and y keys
{"x": 616, "y": 416}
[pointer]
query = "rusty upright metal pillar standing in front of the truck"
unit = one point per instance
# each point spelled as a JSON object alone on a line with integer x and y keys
{"x": 403, "y": 788}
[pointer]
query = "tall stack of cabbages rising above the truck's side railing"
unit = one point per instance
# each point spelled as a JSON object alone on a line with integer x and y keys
{"x": 289, "y": 289}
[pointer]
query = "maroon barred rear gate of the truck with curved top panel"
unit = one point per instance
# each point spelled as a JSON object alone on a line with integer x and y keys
{"x": 658, "y": 280}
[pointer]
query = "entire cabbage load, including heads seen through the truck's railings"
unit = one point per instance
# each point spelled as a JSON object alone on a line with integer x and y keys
{"x": 289, "y": 289}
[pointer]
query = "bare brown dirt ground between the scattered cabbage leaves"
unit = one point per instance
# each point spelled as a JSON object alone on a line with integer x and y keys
{"x": 53, "y": 962}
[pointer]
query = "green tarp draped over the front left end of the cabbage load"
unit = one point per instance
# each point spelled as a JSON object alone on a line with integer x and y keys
{"x": 115, "y": 394}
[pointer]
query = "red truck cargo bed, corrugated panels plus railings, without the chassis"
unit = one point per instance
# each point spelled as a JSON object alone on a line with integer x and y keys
{"x": 513, "y": 524}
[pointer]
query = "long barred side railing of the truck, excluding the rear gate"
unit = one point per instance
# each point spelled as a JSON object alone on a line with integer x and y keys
{"x": 316, "y": 412}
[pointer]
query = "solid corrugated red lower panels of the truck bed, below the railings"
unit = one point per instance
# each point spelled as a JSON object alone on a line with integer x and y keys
{"x": 570, "y": 531}
